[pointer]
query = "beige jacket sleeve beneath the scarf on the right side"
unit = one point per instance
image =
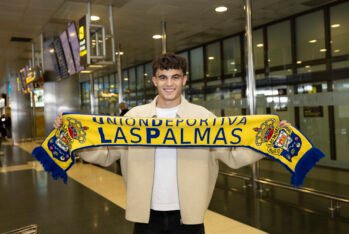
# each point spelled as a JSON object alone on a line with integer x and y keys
{"x": 236, "y": 157}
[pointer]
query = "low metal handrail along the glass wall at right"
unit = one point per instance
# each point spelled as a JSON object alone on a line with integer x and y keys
{"x": 288, "y": 187}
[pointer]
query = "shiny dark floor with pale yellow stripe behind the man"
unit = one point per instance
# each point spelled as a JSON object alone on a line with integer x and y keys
{"x": 93, "y": 201}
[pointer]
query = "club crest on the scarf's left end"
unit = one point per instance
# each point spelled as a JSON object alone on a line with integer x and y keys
{"x": 61, "y": 142}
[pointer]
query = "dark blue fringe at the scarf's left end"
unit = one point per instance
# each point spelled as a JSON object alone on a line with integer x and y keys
{"x": 49, "y": 165}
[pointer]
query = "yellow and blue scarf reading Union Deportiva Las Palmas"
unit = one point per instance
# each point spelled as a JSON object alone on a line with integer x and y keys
{"x": 257, "y": 132}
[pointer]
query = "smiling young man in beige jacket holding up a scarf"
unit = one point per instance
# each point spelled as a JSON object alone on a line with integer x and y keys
{"x": 169, "y": 189}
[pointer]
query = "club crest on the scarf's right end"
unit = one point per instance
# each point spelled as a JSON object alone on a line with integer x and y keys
{"x": 280, "y": 141}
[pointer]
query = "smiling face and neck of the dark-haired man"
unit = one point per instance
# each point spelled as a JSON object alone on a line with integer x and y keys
{"x": 169, "y": 84}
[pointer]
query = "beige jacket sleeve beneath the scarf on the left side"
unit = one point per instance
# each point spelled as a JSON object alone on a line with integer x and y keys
{"x": 103, "y": 156}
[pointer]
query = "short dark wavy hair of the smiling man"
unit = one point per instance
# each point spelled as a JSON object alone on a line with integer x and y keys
{"x": 170, "y": 61}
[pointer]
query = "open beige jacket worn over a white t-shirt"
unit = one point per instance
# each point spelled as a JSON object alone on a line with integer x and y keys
{"x": 197, "y": 168}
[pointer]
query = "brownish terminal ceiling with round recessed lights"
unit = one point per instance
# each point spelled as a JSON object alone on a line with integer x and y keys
{"x": 189, "y": 23}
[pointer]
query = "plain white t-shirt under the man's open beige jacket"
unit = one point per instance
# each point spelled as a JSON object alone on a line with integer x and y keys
{"x": 165, "y": 189}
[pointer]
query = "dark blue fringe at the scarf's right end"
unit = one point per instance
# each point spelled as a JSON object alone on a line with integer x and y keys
{"x": 305, "y": 164}
